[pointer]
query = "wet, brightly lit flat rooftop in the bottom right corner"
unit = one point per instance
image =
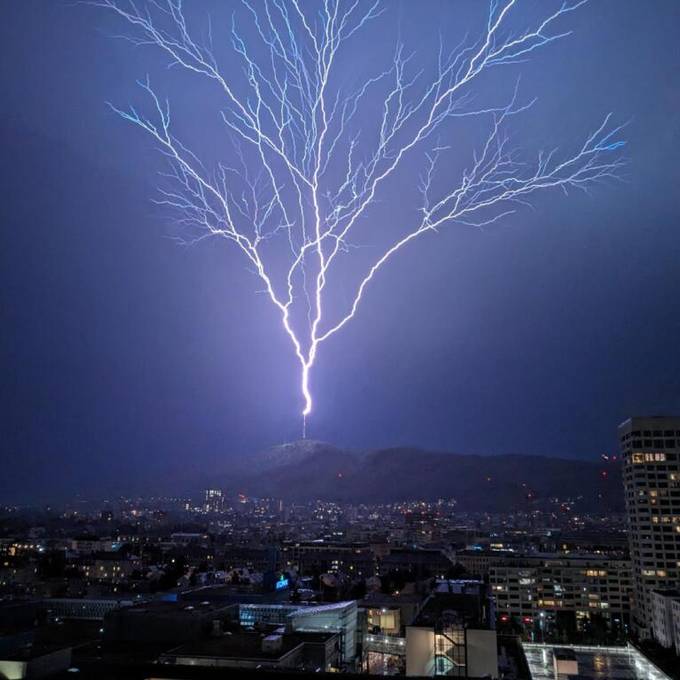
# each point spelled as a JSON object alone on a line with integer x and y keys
{"x": 594, "y": 663}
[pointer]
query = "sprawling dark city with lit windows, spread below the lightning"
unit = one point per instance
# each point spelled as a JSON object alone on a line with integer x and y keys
{"x": 556, "y": 581}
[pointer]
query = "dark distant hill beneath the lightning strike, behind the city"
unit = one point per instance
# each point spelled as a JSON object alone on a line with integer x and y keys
{"x": 308, "y": 470}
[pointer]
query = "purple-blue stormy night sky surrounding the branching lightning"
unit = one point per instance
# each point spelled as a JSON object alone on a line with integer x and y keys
{"x": 129, "y": 361}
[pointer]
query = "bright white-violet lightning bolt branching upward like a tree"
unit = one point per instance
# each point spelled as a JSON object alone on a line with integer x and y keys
{"x": 307, "y": 174}
